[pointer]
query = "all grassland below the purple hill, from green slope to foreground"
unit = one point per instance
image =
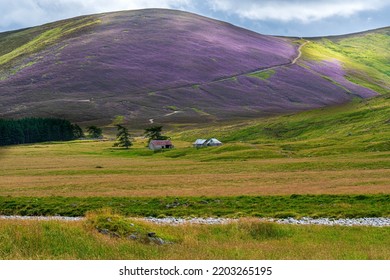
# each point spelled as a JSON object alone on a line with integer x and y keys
{"x": 332, "y": 162}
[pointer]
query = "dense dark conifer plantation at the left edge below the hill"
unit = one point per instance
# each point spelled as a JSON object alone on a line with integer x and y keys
{"x": 34, "y": 130}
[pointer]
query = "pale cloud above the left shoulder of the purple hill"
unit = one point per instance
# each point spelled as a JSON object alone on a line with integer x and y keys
{"x": 26, "y": 13}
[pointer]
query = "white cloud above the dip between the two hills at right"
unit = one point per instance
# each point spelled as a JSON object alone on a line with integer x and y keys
{"x": 295, "y": 10}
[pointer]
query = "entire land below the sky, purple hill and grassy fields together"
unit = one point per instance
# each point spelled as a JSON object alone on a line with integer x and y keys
{"x": 305, "y": 132}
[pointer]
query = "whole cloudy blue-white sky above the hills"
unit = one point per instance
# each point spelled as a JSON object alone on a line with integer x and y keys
{"x": 301, "y": 18}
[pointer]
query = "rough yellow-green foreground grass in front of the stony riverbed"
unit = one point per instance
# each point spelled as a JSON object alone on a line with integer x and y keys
{"x": 246, "y": 239}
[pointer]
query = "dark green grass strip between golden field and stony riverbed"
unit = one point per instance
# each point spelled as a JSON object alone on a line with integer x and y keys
{"x": 337, "y": 206}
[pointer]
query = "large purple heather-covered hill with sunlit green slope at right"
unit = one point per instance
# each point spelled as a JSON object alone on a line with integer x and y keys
{"x": 175, "y": 67}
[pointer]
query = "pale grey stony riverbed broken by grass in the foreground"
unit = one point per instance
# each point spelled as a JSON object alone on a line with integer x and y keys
{"x": 372, "y": 222}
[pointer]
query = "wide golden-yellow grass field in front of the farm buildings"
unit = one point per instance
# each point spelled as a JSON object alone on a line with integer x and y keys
{"x": 77, "y": 169}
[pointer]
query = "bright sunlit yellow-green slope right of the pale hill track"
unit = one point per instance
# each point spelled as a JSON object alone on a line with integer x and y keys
{"x": 365, "y": 56}
